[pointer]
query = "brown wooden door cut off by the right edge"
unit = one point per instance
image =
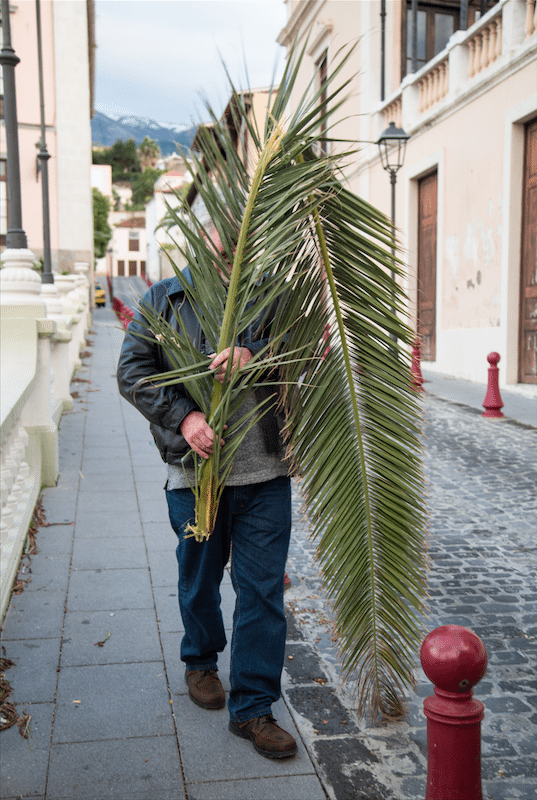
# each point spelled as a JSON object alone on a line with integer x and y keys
{"x": 527, "y": 360}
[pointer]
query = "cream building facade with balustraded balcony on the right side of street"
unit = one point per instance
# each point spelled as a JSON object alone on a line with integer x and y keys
{"x": 466, "y": 195}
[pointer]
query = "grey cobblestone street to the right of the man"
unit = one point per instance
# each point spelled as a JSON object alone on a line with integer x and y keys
{"x": 482, "y": 479}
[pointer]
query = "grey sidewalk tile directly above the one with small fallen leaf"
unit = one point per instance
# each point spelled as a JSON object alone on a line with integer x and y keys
{"x": 109, "y": 590}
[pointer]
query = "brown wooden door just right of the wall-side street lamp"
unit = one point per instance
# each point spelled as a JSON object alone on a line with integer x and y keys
{"x": 427, "y": 223}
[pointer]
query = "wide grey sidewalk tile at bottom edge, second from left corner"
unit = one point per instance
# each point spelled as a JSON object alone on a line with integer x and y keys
{"x": 126, "y": 769}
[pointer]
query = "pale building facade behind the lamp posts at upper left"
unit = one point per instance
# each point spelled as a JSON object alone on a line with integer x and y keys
{"x": 67, "y": 43}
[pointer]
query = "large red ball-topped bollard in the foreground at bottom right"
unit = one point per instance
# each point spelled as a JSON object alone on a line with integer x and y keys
{"x": 454, "y": 659}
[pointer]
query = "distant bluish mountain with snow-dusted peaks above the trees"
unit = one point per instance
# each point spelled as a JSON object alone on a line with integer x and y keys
{"x": 107, "y": 129}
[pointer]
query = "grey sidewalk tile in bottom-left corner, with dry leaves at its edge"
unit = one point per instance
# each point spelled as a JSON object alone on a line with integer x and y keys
{"x": 23, "y": 766}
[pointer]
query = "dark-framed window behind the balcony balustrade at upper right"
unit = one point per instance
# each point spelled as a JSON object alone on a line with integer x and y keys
{"x": 436, "y": 22}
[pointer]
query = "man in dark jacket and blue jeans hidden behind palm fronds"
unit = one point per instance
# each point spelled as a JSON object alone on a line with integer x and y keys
{"x": 254, "y": 517}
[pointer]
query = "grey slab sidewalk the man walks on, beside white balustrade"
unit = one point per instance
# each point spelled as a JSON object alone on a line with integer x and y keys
{"x": 115, "y": 721}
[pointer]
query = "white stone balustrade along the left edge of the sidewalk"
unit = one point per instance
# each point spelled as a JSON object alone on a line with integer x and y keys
{"x": 40, "y": 351}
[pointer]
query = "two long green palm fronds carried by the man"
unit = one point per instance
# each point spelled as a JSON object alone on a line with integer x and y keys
{"x": 315, "y": 260}
